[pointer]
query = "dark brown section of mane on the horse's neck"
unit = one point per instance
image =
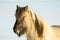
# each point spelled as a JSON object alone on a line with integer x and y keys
{"x": 38, "y": 26}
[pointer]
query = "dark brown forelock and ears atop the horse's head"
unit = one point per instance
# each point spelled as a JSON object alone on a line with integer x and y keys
{"x": 21, "y": 10}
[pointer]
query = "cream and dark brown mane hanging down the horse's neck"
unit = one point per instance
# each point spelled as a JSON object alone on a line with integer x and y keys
{"x": 38, "y": 26}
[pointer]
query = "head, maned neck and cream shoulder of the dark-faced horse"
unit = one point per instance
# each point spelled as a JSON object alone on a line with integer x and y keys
{"x": 32, "y": 25}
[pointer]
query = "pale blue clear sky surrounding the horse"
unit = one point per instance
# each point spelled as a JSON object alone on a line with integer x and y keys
{"x": 47, "y": 9}
